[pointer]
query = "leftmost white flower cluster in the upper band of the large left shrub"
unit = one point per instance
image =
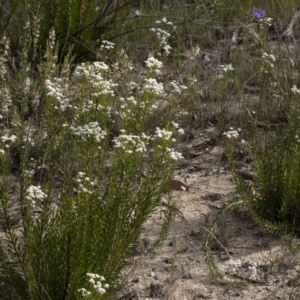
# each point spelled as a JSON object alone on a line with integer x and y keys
{"x": 56, "y": 88}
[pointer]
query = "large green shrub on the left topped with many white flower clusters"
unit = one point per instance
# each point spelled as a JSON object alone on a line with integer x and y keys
{"x": 91, "y": 167}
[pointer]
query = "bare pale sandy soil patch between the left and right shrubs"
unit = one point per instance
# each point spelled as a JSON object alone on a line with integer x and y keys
{"x": 178, "y": 271}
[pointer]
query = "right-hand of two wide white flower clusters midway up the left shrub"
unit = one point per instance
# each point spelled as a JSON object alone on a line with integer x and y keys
{"x": 131, "y": 143}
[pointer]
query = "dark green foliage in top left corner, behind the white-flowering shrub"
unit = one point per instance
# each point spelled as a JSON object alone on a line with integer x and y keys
{"x": 80, "y": 26}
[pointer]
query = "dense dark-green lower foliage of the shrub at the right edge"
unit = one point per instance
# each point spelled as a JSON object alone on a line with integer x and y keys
{"x": 276, "y": 159}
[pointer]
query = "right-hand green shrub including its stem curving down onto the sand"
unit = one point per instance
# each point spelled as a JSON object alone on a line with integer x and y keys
{"x": 271, "y": 194}
